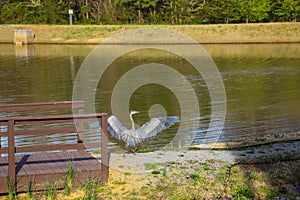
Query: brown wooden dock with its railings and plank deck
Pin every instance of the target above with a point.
(37, 165)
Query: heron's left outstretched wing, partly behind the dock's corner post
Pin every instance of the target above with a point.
(115, 127)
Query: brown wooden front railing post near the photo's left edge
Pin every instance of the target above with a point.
(11, 152)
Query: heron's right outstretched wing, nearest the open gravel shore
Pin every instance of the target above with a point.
(155, 126)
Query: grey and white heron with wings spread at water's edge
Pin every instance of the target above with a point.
(134, 136)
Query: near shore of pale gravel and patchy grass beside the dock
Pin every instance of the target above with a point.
(266, 172)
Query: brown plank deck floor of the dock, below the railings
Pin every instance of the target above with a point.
(38, 170)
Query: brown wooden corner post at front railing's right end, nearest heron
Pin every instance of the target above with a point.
(104, 150)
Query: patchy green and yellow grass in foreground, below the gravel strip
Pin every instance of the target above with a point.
(191, 180)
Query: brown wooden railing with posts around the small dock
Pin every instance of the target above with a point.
(35, 122)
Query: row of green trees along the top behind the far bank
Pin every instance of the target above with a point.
(148, 11)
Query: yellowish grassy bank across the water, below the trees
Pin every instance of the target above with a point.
(225, 33)
